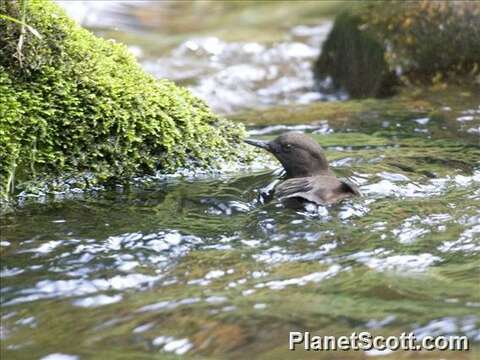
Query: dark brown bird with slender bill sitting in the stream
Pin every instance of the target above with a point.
(308, 176)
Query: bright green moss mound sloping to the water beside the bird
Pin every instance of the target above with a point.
(74, 104)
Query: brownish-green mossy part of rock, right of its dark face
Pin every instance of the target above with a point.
(416, 35)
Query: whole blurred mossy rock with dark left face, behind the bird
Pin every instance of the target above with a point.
(375, 47)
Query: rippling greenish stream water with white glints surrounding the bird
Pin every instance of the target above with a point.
(208, 266)
